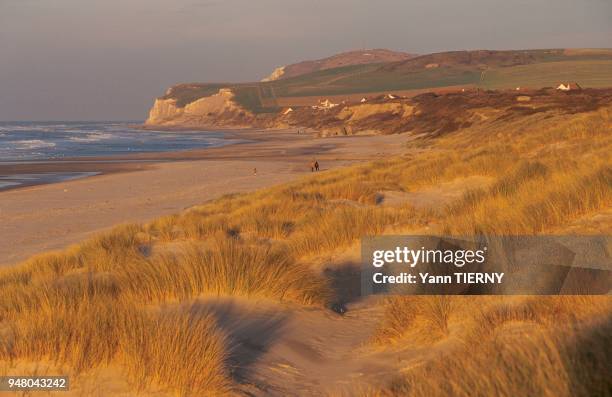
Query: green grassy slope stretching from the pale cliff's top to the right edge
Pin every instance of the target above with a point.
(505, 69)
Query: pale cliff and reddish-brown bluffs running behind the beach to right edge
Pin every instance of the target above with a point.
(429, 114)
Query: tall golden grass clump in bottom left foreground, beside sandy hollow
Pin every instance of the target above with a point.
(84, 322)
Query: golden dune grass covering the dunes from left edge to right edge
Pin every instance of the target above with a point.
(109, 299)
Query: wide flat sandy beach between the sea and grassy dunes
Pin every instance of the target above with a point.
(139, 188)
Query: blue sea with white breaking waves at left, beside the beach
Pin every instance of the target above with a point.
(26, 142)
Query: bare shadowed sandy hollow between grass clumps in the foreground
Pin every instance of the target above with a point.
(281, 350)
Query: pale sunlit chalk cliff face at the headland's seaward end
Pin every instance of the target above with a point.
(215, 110)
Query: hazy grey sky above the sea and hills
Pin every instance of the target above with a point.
(108, 59)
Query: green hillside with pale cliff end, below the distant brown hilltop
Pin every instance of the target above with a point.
(439, 72)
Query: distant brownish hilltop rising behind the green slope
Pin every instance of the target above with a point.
(359, 57)
